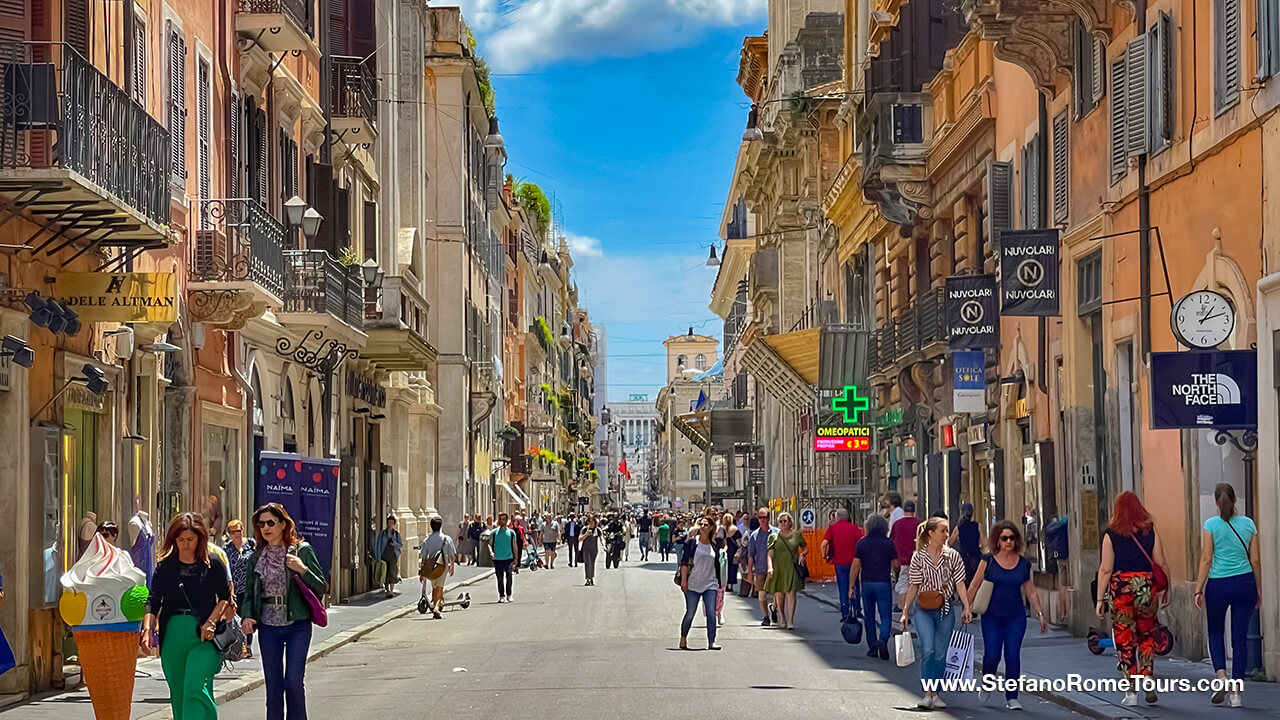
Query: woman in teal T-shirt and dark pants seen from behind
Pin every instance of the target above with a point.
(1228, 580)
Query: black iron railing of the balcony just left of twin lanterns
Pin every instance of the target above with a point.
(239, 240)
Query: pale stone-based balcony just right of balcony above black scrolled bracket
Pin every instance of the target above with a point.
(396, 325)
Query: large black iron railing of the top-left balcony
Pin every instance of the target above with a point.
(60, 112)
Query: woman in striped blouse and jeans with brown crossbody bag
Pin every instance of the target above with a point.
(936, 581)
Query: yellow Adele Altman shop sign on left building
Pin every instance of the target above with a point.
(120, 298)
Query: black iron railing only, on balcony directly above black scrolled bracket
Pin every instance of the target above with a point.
(318, 284)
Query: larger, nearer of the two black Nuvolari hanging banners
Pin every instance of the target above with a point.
(1030, 274)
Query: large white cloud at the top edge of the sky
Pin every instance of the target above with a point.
(524, 34)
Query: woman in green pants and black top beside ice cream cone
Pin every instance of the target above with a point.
(190, 596)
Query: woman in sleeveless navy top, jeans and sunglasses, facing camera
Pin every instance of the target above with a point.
(1004, 625)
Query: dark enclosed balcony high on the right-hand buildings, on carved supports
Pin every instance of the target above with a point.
(897, 135)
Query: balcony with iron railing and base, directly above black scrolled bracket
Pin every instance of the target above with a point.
(322, 294)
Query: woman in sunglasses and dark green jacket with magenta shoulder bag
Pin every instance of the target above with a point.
(276, 607)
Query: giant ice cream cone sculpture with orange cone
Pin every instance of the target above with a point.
(103, 601)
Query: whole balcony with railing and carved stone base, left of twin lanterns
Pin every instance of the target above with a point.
(237, 262)
